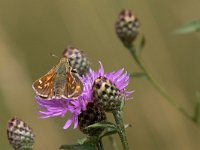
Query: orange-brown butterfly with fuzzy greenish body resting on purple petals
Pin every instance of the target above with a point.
(60, 82)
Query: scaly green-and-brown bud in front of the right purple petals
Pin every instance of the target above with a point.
(106, 95)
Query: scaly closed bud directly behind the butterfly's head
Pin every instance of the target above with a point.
(77, 59)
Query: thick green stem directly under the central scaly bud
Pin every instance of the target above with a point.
(121, 130)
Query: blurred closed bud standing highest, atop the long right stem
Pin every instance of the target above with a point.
(127, 27)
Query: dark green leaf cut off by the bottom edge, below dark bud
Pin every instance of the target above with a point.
(79, 147)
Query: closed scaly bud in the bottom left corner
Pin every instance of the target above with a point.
(20, 135)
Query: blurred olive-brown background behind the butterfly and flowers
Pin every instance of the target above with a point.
(31, 30)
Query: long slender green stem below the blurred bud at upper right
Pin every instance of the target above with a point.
(156, 85)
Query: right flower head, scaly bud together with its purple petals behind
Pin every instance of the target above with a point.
(107, 90)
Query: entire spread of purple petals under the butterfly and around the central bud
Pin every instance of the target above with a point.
(59, 107)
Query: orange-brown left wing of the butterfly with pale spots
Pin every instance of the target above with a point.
(44, 86)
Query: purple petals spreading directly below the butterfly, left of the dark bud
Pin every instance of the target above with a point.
(59, 107)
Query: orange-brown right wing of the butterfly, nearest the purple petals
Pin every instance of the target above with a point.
(74, 86)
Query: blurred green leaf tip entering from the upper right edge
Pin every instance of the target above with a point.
(192, 26)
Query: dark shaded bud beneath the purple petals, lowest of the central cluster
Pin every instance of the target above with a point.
(91, 116)
